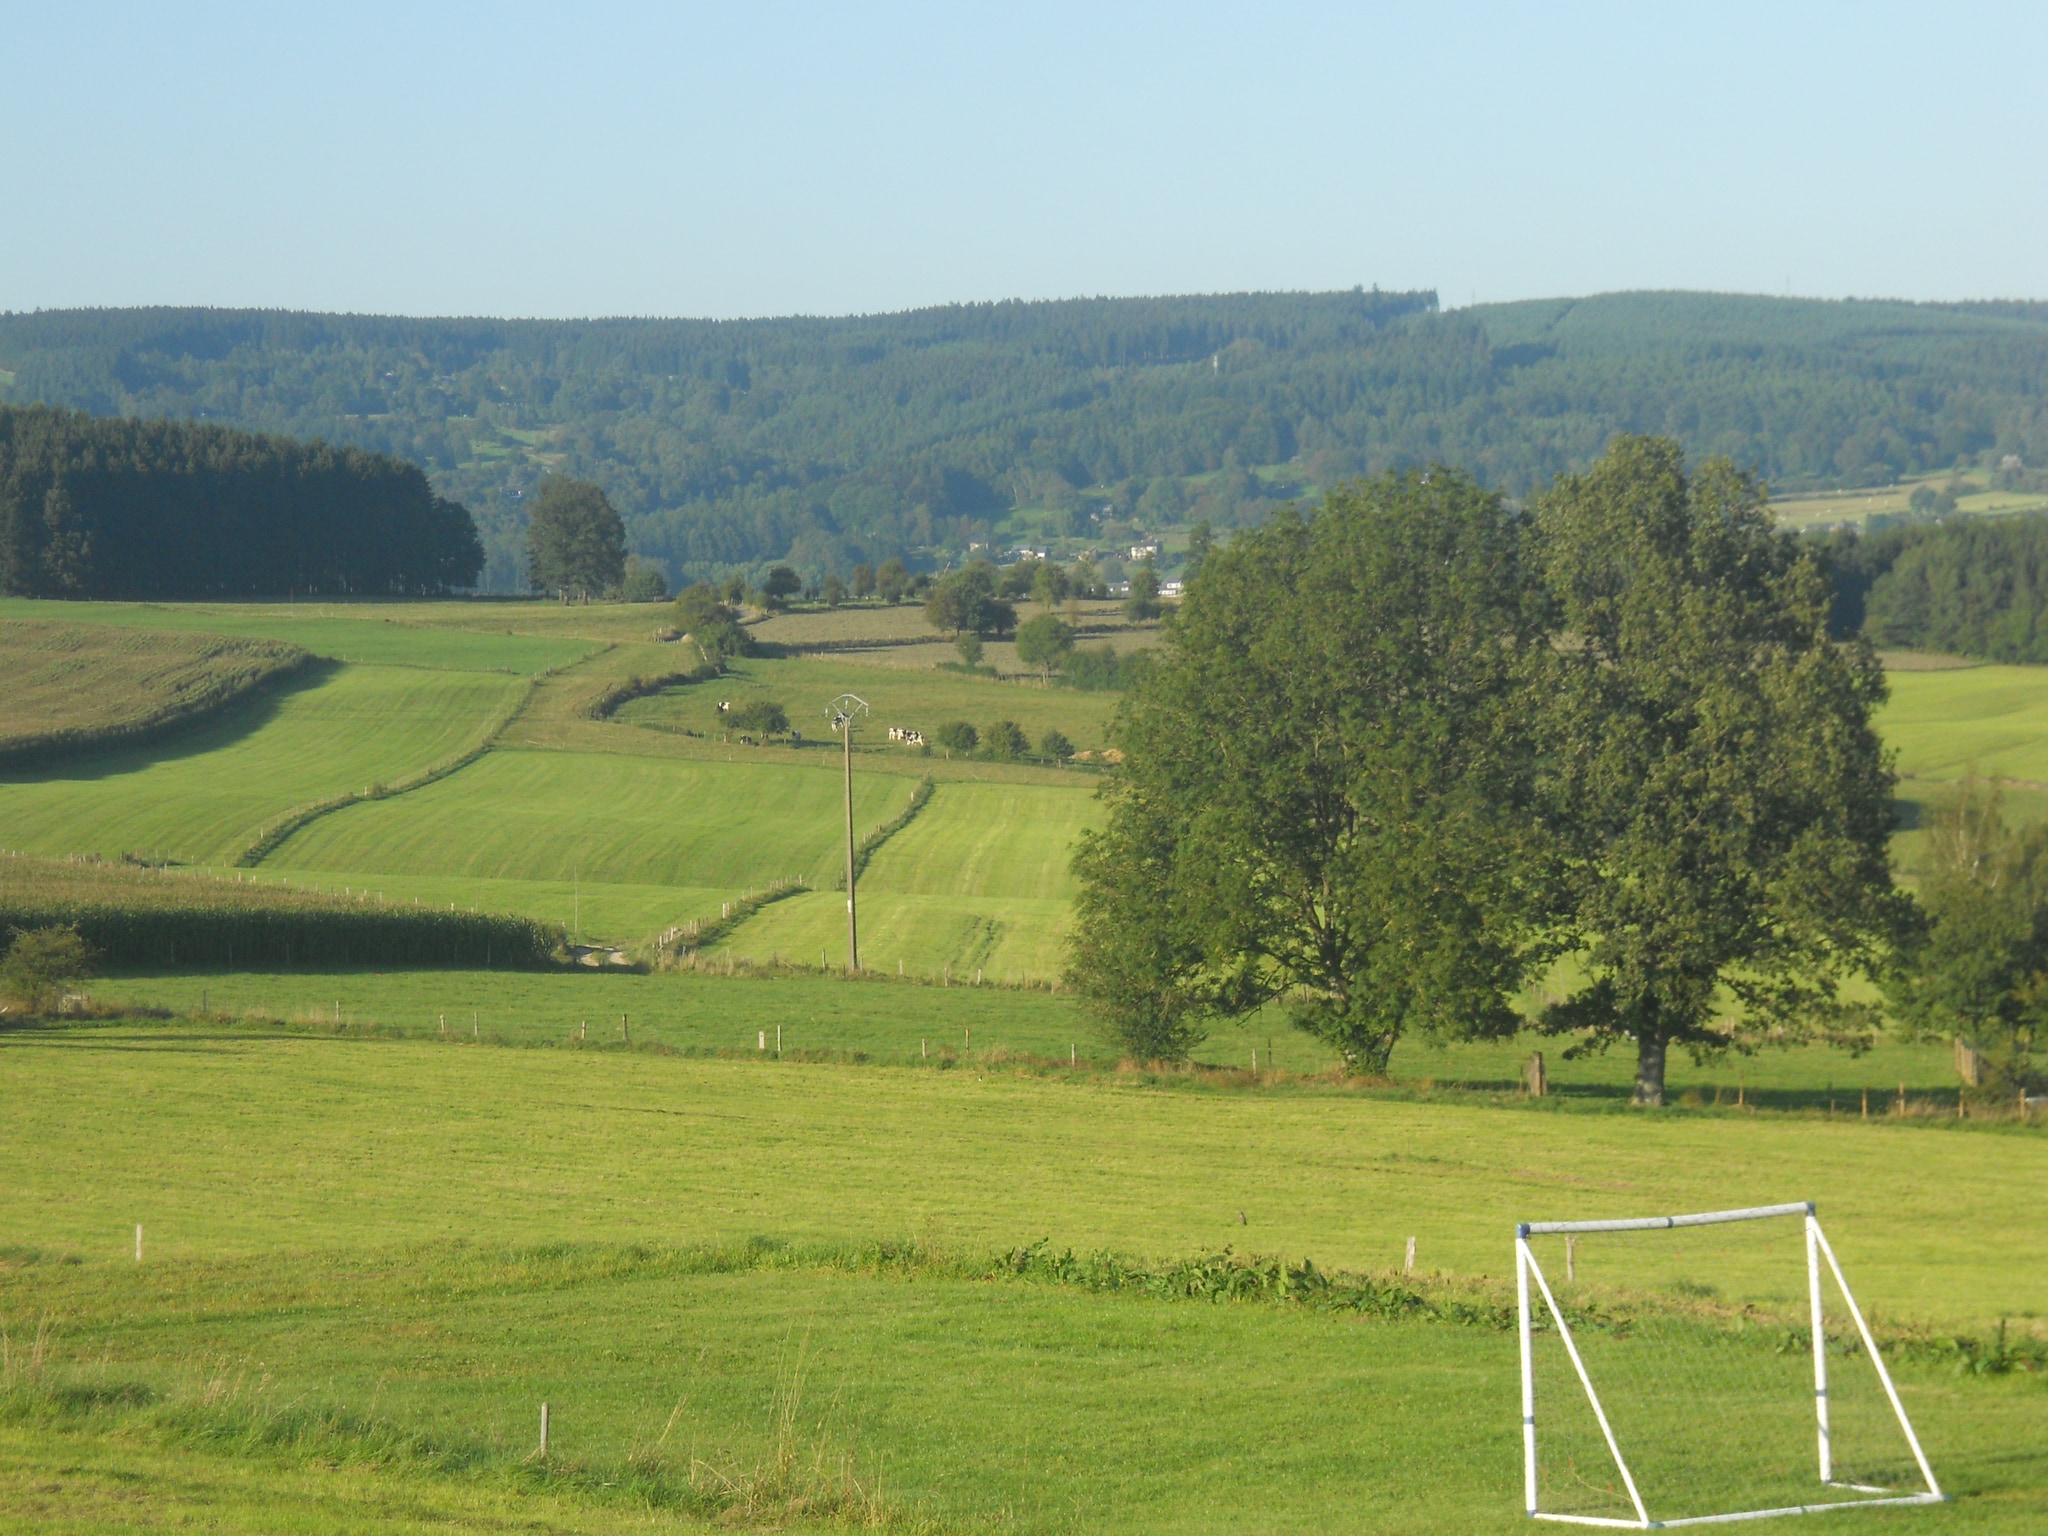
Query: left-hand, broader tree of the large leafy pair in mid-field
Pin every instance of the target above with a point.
(1328, 787)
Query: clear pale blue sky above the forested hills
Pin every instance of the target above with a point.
(783, 159)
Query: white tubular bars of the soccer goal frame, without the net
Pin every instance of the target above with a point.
(1818, 1250)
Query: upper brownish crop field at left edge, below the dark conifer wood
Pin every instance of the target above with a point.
(73, 687)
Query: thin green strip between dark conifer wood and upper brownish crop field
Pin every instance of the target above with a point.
(364, 634)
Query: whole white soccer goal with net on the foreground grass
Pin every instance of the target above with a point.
(1666, 1379)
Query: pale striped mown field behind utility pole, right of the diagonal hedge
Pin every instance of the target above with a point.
(978, 884)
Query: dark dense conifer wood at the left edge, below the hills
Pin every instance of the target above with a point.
(163, 509)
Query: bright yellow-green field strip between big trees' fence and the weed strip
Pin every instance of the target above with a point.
(237, 1144)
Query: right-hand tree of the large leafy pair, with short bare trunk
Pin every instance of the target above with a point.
(1723, 796)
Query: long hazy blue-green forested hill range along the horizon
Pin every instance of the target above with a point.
(730, 443)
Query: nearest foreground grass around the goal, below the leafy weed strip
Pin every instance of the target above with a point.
(972, 1406)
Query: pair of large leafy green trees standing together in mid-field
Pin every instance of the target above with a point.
(1400, 757)
